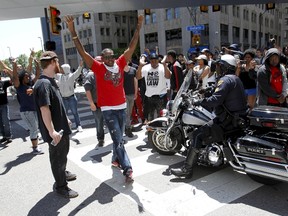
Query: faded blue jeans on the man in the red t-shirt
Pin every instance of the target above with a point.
(115, 121)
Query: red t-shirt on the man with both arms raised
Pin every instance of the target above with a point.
(110, 89)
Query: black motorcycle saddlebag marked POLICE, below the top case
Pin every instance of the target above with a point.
(260, 148)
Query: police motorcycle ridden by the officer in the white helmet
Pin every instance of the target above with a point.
(259, 148)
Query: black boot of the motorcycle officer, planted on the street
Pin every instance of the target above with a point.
(187, 170)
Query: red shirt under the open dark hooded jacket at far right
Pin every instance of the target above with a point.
(275, 83)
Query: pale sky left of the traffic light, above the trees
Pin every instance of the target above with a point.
(19, 36)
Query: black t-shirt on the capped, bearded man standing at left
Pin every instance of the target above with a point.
(46, 92)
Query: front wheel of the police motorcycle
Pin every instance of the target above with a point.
(157, 138)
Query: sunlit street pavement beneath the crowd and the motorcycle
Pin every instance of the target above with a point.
(26, 180)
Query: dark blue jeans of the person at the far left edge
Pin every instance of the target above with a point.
(5, 127)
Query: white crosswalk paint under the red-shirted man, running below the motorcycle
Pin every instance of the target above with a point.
(200, 196)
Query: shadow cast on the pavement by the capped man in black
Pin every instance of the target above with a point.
(48, 205)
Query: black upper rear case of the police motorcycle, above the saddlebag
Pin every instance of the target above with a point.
(270, 117)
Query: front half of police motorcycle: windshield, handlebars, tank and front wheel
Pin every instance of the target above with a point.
(169, 134)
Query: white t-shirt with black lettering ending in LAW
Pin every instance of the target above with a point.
(154, 79)
